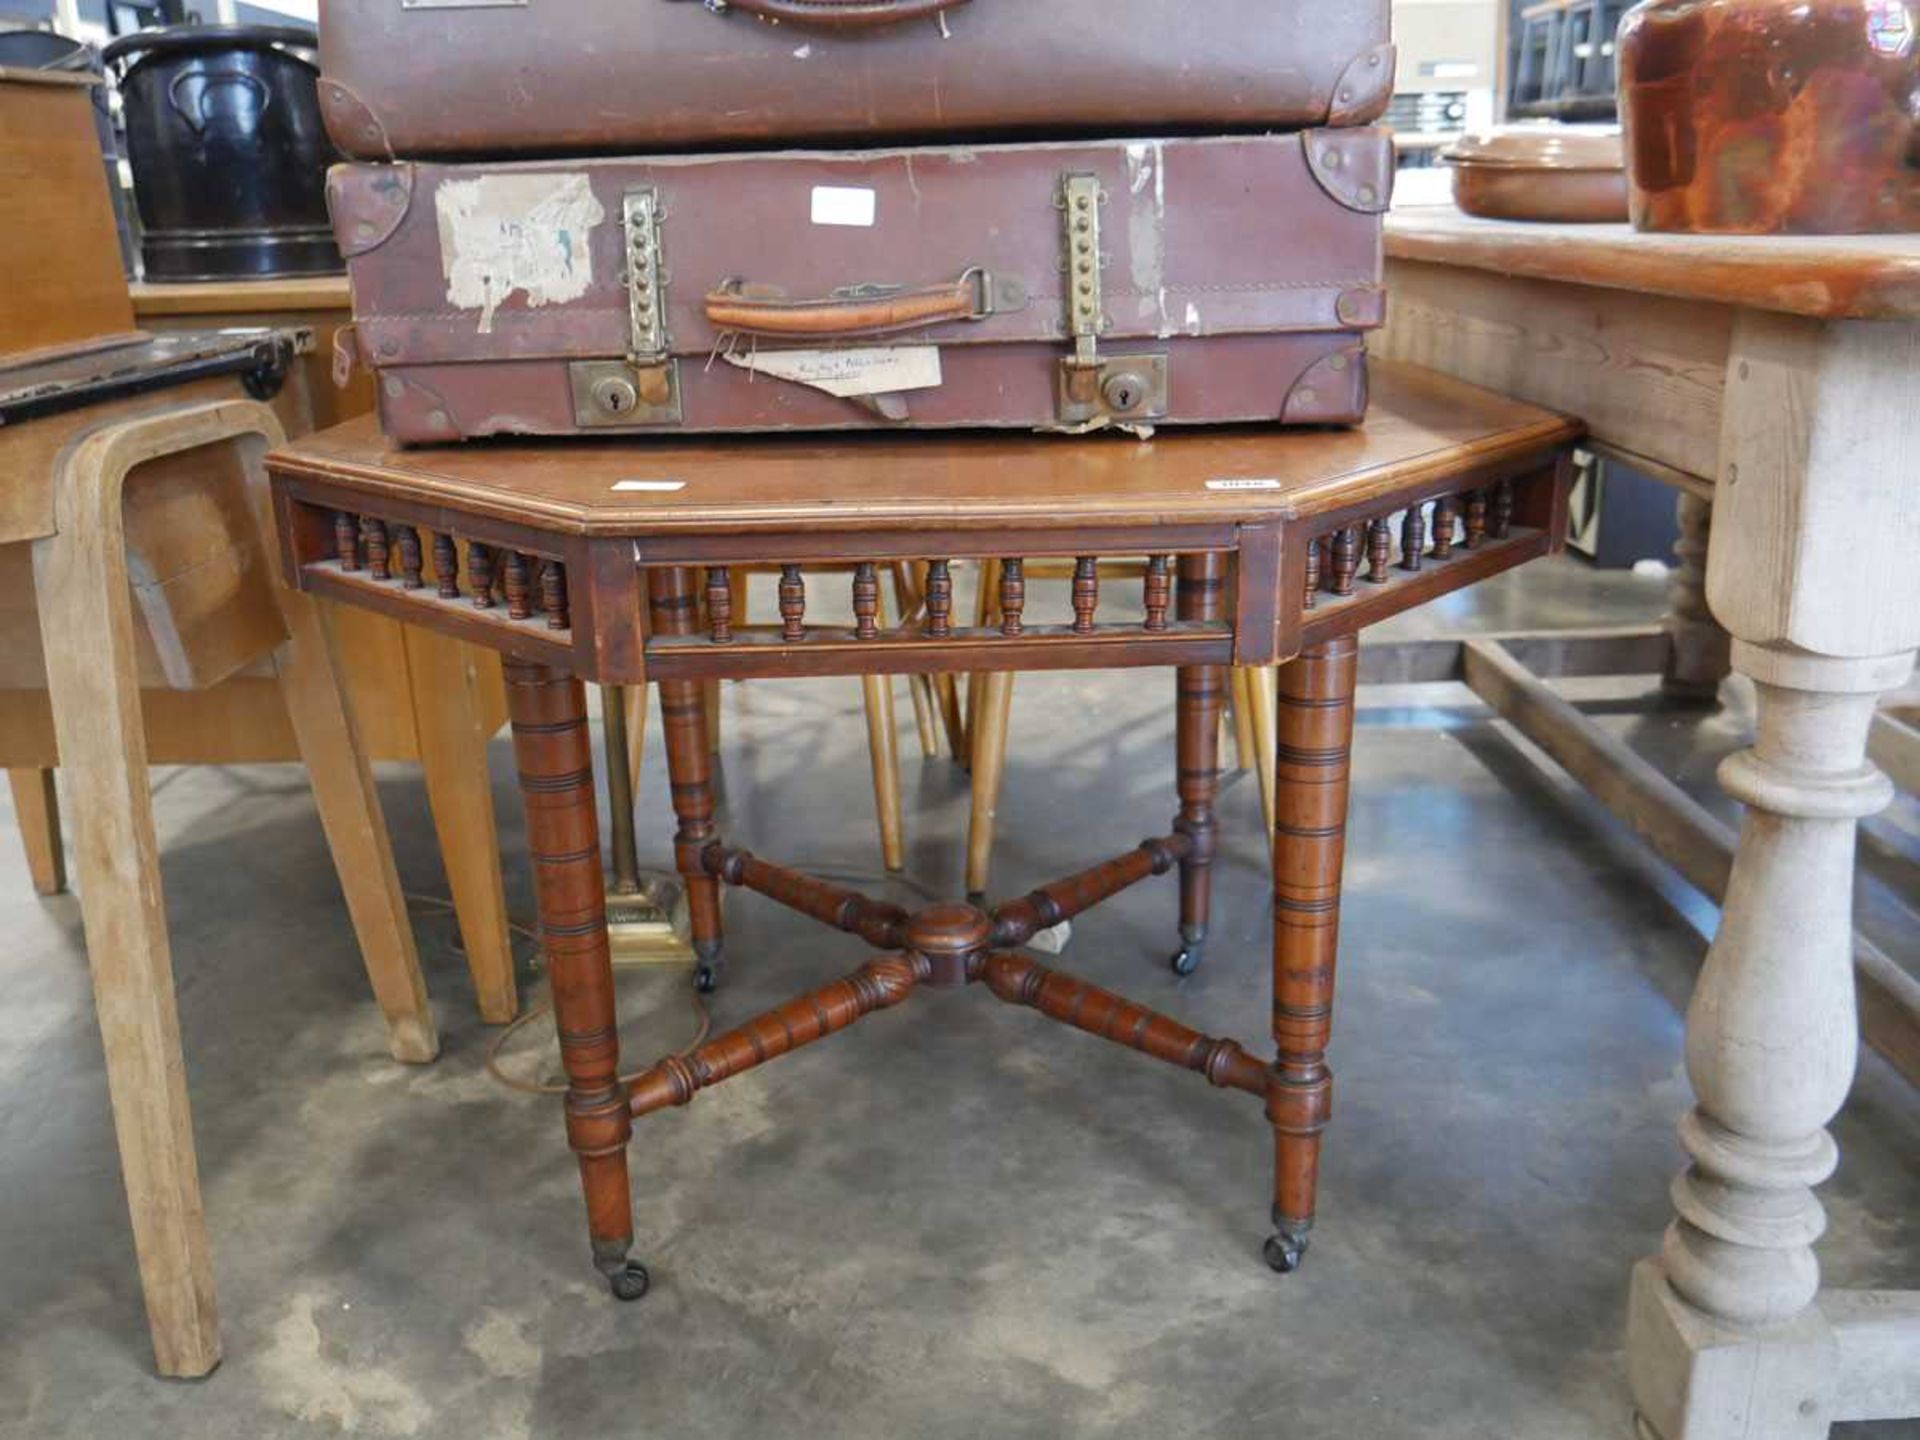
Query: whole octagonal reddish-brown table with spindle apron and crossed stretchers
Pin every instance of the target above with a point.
(571, 594)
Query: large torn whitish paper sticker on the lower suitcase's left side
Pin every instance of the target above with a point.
(529, 233)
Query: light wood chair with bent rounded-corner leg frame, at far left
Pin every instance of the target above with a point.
(151, 575)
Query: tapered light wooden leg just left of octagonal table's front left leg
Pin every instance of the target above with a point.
(448, 706)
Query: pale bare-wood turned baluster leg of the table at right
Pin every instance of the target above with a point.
(1731, 1335)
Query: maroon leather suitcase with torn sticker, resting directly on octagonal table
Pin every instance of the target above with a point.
(1055, 287)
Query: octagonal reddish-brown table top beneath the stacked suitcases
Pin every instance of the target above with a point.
(731, 485)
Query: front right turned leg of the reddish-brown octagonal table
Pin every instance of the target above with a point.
(1316, 736)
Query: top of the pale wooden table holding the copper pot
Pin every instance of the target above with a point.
(1871, 277)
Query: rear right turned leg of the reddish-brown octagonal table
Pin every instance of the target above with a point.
(1203, 692)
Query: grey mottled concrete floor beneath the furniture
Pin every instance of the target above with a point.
(957, 1220)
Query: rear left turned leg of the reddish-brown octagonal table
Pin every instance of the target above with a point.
(690, 773)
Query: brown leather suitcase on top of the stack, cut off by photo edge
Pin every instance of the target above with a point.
(546, 78)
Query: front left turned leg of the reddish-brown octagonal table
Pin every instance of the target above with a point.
(556, 757)
